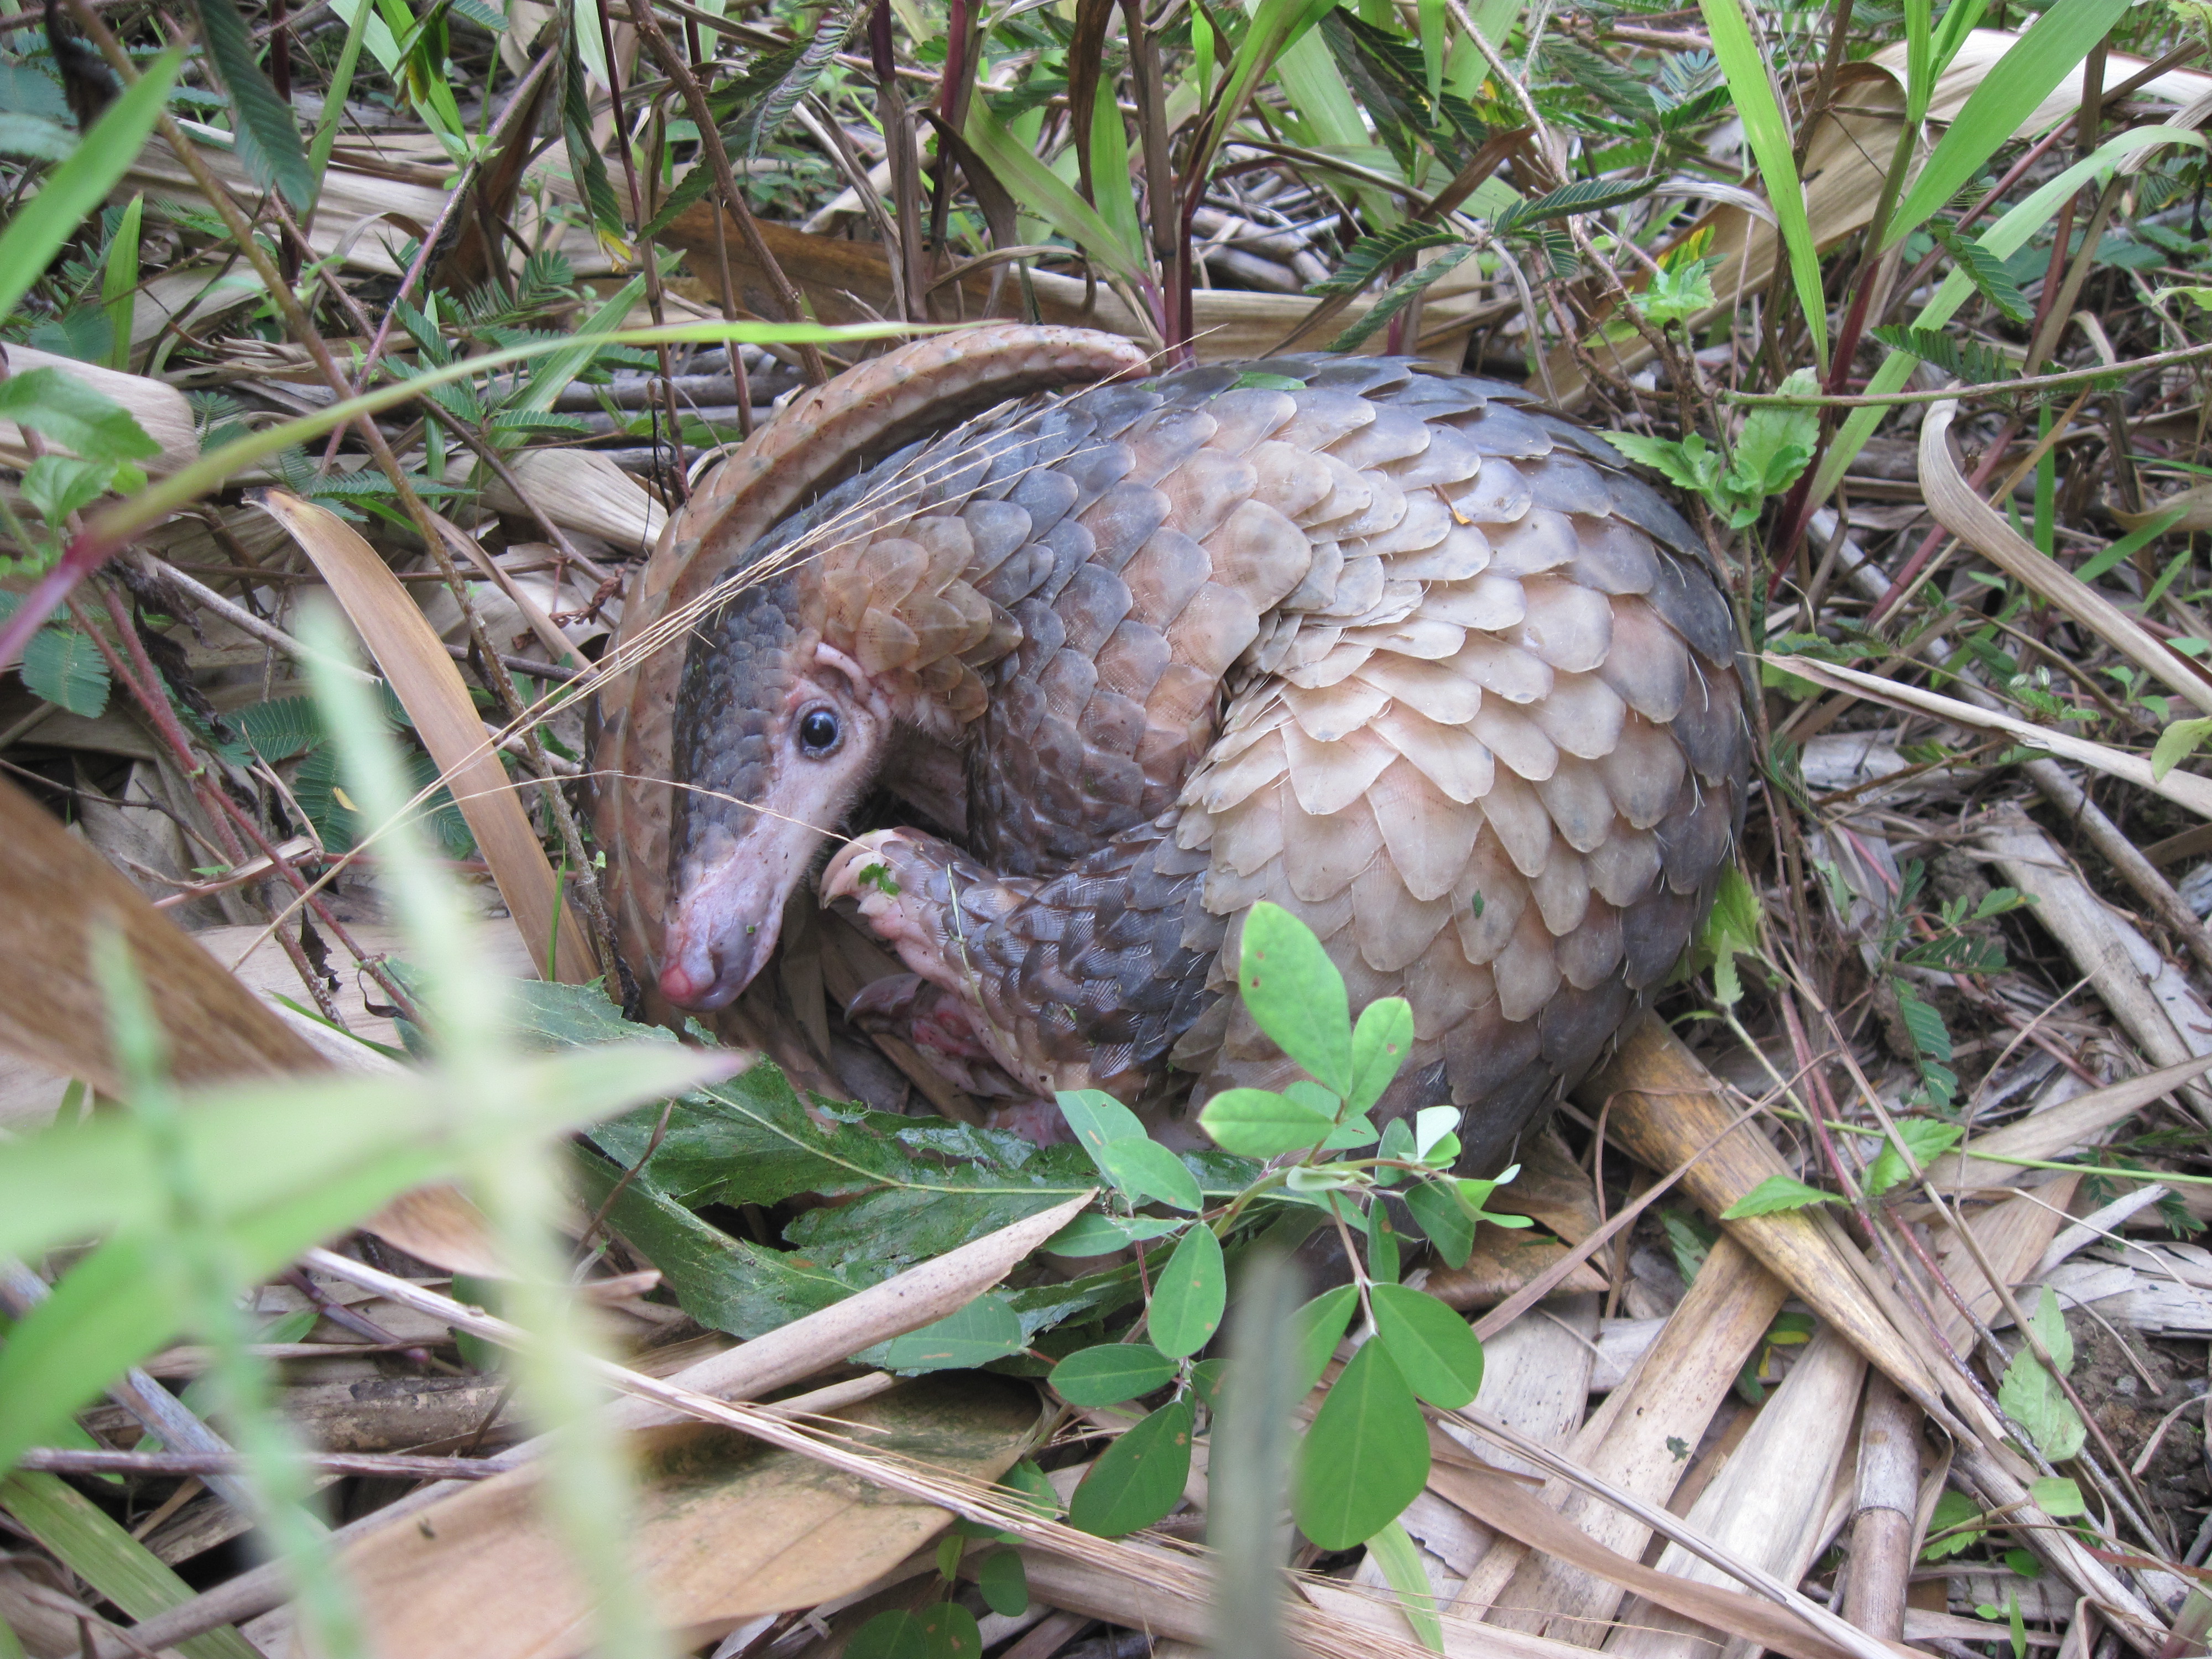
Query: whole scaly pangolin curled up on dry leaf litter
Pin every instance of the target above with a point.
(1386, 645)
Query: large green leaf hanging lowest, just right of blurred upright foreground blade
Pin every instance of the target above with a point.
(1366, 1459)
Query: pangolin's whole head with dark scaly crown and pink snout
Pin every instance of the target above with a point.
(778, 735)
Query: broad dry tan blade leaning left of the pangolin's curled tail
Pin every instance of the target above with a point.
(437, 700)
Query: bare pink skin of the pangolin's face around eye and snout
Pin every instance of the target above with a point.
(722, 921)
